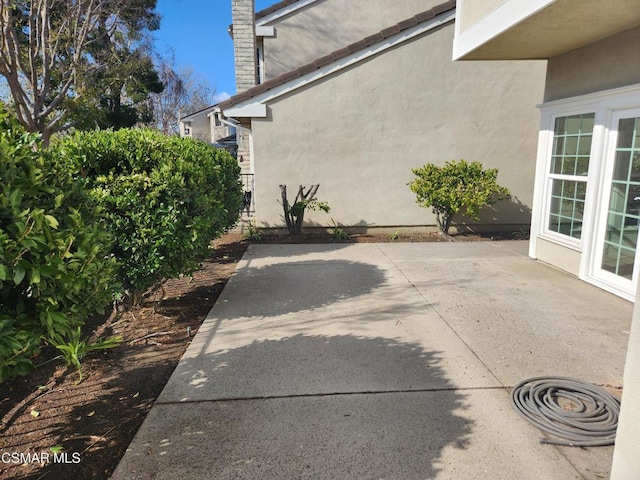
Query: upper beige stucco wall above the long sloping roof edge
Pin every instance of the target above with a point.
(328, 25)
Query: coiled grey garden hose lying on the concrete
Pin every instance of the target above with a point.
(578, 413)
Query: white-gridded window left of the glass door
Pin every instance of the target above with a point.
(568, 173)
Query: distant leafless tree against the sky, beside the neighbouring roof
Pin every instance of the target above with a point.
(183, 93)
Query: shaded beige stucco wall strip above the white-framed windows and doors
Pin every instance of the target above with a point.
(610, 63)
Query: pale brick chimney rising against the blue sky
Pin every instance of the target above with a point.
(244, 43)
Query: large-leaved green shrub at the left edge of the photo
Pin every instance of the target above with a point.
(55, 268)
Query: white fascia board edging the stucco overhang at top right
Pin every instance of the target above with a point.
(498, 21)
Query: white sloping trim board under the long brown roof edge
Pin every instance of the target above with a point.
(240, 109)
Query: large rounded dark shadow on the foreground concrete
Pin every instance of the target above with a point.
(307, 407)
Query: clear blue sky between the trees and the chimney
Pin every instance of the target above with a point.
(196, 31)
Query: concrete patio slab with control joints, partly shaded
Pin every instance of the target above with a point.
(381, 361)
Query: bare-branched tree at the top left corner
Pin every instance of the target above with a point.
(45, 47)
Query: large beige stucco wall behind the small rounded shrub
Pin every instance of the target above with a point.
(359, 132)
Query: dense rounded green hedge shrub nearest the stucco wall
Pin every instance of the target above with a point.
(163, 198)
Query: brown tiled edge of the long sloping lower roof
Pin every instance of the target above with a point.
(338, 54)
